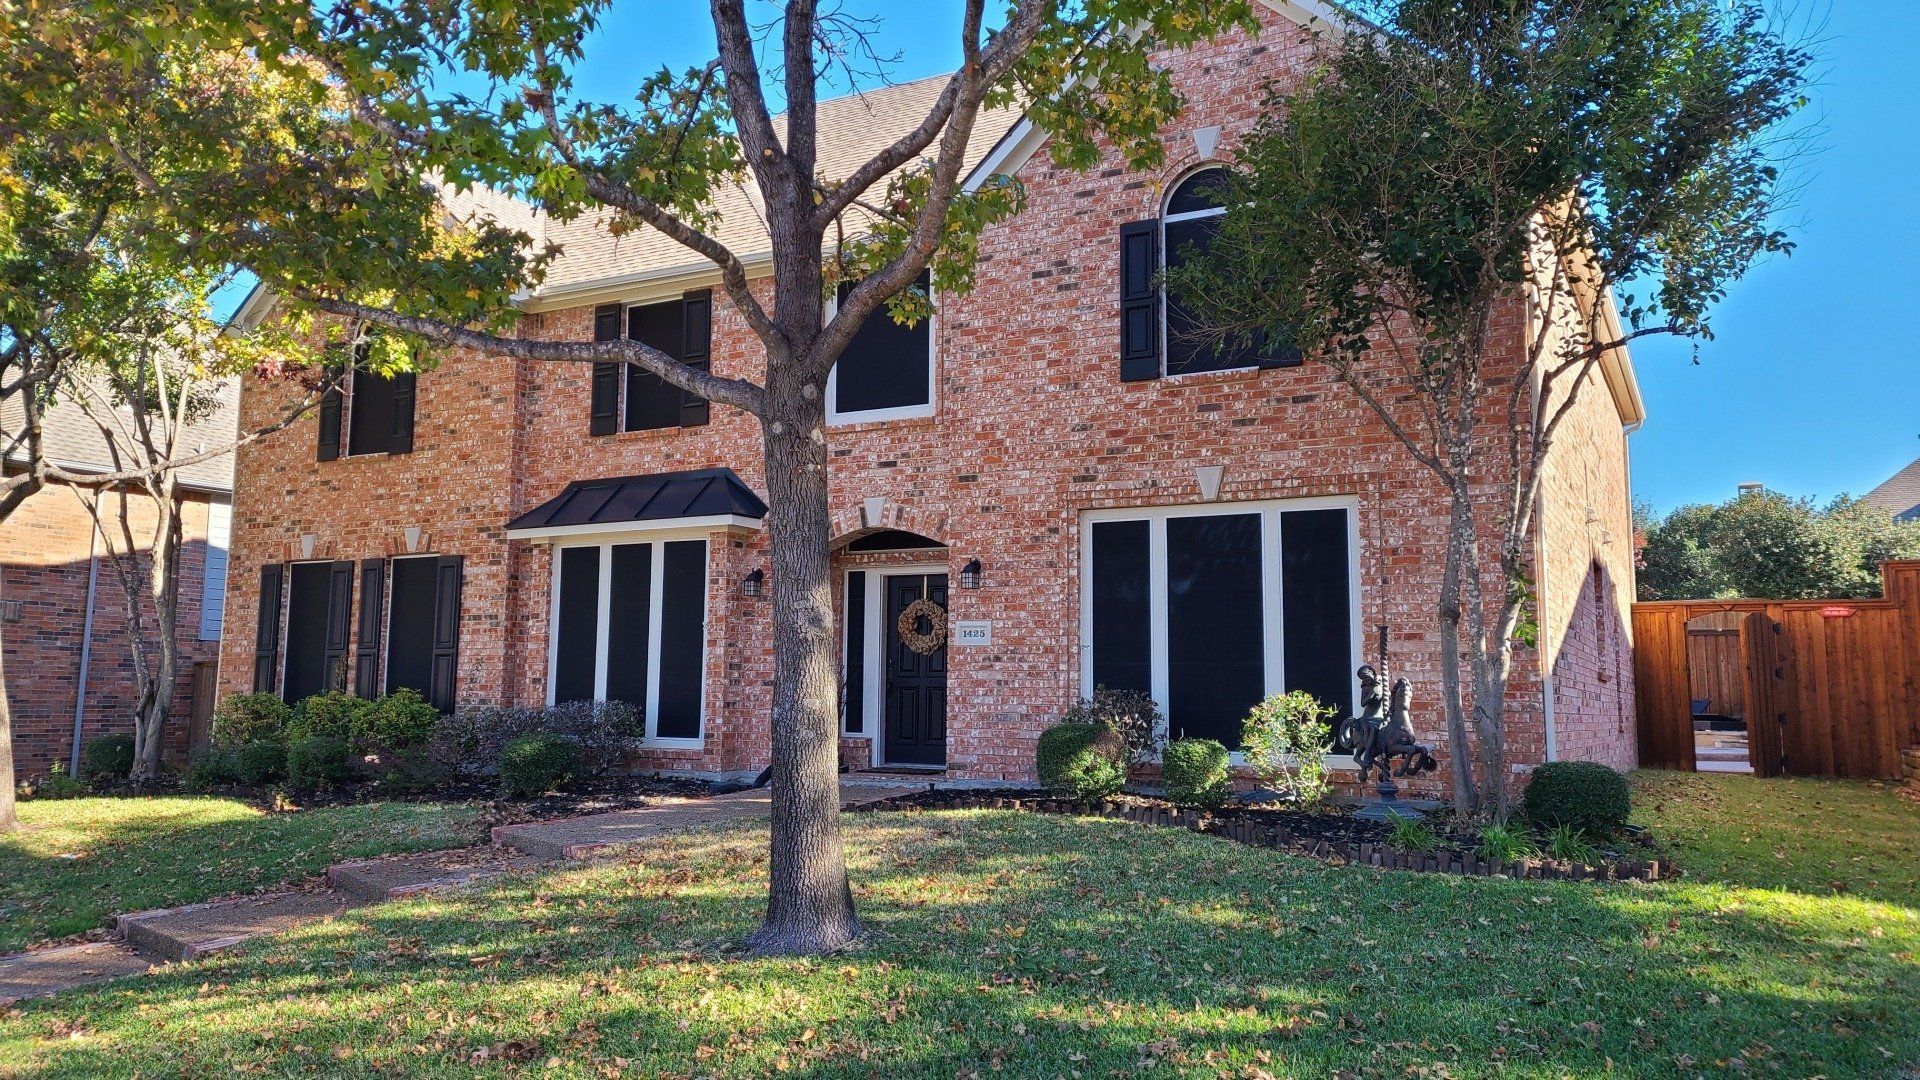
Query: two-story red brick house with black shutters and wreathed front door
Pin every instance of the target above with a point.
(1090, 499)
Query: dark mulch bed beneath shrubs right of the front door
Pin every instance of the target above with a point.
(1330, 835)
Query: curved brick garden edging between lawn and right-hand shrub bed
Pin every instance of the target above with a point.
(1466, 864)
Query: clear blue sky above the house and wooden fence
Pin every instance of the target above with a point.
(1812, 385)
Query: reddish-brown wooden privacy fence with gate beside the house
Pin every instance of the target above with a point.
(1829, 687)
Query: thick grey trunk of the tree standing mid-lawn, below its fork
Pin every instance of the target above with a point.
(809, 906)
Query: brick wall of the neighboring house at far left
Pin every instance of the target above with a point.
(43, 564)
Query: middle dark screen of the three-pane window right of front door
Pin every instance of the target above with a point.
(1216, 670)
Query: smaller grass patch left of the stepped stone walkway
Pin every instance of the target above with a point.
(74, 864)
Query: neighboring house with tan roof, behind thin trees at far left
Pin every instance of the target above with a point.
(68, 656)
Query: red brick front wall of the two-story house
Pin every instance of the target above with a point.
(1032, 430)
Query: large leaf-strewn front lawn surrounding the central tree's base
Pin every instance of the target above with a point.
(1009, 945)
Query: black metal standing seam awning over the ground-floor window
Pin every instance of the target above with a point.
(700, 499)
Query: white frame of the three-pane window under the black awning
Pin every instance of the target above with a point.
(602, 624)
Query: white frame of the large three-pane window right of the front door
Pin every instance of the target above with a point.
(1274, 631)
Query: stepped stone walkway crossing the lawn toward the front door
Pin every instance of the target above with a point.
(199, 929)
